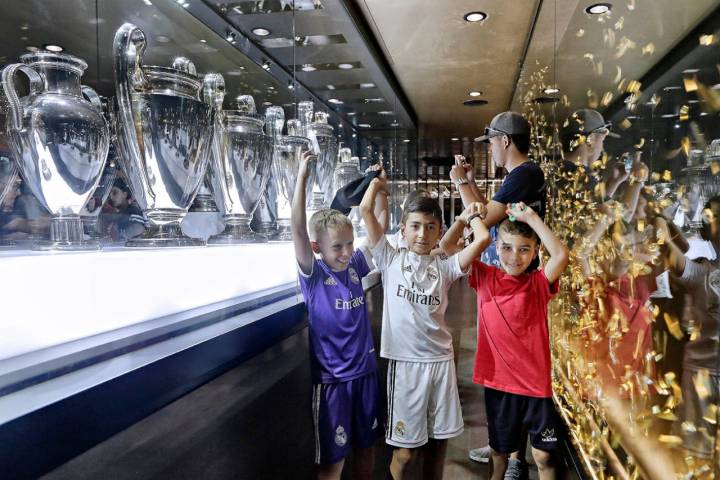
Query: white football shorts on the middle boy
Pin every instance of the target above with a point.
(423, 402)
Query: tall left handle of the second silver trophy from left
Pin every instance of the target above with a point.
(128, 48)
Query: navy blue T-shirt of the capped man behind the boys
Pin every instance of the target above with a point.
(526, 183)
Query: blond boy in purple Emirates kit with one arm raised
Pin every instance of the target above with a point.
(346, 411)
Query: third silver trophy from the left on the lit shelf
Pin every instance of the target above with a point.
(240, 169)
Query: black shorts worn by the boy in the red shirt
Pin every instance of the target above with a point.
(508, 413)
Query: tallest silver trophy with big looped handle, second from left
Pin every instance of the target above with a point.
(164, 134)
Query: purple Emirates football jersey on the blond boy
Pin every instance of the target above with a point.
(340, 339)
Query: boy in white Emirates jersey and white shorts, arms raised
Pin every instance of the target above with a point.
(423, 400)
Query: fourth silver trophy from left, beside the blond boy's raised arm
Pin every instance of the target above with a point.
(287, 154)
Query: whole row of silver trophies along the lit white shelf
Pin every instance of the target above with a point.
(172, 138)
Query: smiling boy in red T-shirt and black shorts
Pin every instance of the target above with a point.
(513, 352)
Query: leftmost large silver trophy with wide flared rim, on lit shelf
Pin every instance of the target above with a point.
(59, 139)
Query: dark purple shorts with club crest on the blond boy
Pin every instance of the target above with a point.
(346, 415)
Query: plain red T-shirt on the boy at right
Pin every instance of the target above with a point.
(513, 352)
